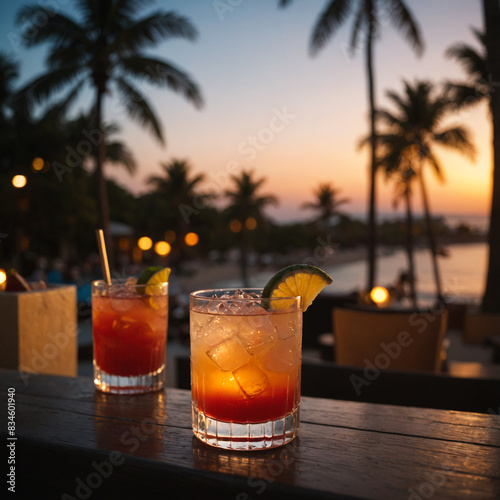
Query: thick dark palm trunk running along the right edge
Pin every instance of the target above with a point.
(491, 297)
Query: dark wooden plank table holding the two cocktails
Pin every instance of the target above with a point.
(74, 442)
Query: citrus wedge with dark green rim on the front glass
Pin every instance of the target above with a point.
(298, 279)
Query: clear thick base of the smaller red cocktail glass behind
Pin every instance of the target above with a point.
(140, 384)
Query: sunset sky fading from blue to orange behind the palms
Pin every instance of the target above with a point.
(295, 119)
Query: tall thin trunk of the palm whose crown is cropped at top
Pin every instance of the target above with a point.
(372, 228)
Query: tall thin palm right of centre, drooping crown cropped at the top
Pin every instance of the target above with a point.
(367, 15)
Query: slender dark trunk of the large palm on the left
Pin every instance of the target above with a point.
(104, 219)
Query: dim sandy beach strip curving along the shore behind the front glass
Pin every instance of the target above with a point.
(208, 274)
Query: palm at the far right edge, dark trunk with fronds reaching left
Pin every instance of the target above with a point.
(483, 69)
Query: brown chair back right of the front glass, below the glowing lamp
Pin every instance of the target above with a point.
(396, 340)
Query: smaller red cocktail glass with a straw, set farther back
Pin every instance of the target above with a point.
(130, 336)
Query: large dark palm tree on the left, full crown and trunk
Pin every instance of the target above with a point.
(104, 48)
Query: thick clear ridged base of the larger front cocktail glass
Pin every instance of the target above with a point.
(249, 436)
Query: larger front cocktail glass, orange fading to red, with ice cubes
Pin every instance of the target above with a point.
(246, 357)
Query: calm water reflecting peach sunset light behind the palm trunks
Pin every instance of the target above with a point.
(462, 271)
